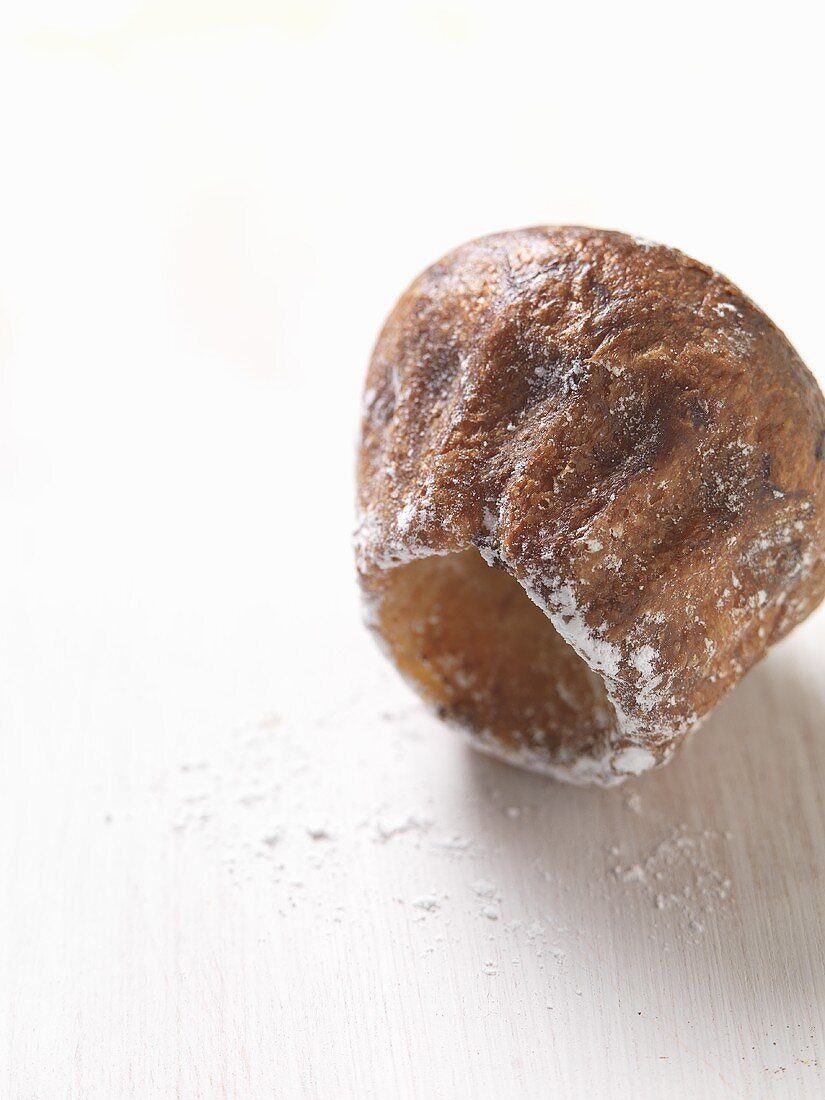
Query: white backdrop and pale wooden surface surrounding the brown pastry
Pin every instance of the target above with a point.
(237, 860)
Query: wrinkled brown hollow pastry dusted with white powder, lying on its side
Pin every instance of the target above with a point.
(591, 493)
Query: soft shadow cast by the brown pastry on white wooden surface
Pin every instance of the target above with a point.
(714, 861)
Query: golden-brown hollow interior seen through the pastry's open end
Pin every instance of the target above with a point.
(479, 650)
